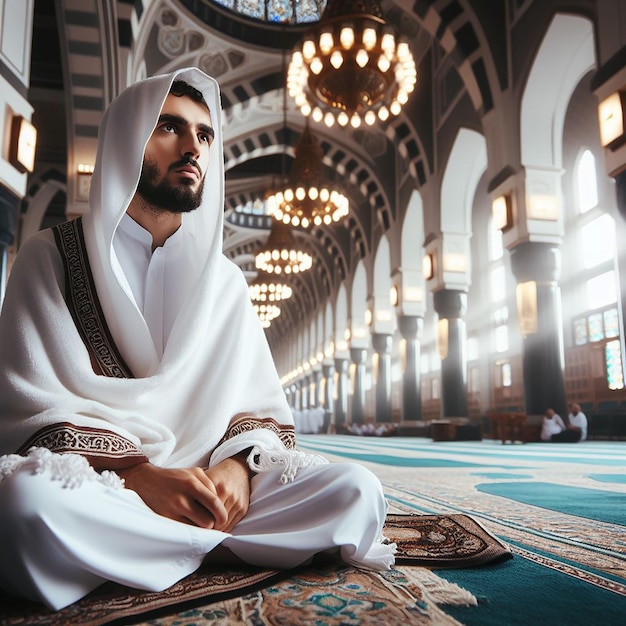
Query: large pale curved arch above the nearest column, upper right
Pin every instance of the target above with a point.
(564, 57)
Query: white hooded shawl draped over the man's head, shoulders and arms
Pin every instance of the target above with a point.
(214, 392)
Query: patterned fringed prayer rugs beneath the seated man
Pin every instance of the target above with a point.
(326, 592)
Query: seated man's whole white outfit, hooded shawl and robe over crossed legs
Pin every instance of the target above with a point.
(209, 392)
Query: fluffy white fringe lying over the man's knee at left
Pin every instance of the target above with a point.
(70, 469)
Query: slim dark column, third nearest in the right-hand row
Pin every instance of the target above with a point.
(410, 327)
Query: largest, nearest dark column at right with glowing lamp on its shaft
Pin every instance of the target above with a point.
(543, 360)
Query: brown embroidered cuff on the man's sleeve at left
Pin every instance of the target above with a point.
(90, 442)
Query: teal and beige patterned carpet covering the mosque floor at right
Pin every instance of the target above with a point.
(561, 509)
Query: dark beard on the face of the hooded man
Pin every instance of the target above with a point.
(162, 195)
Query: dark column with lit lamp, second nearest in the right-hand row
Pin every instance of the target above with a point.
(451, 304)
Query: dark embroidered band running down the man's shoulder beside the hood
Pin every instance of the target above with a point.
(82, 301)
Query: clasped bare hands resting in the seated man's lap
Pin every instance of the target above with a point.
(215, 498)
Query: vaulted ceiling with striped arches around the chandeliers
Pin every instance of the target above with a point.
(373, 166)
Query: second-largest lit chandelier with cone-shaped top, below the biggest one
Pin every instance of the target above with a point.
(307, 200)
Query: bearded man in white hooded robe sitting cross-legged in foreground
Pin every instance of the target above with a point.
(142, 422)
